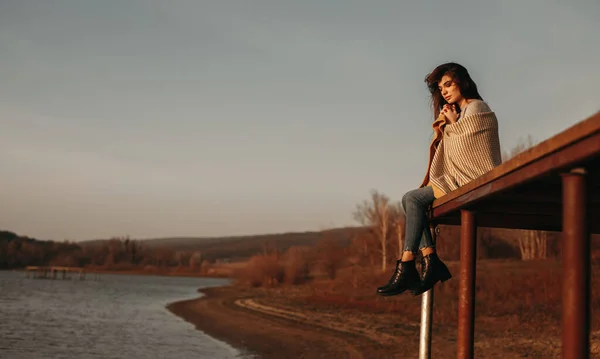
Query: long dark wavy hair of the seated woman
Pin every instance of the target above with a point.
(460, 76)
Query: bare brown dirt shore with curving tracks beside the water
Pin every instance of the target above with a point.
(230, 314)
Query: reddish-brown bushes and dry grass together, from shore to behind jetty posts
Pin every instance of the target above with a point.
(518, 303)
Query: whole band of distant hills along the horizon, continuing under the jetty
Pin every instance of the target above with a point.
(17, 251)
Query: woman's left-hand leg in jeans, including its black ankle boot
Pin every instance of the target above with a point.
(406, 276)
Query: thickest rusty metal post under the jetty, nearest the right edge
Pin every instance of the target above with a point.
(576, 268)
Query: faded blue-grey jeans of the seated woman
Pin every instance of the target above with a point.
(415, 204)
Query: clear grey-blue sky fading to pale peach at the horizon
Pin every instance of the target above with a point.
(205, 118)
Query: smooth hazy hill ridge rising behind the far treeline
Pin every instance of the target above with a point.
(243, 247)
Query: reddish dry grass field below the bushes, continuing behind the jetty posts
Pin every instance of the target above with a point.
(518, 307)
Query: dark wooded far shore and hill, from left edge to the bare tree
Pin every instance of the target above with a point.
(124, 253)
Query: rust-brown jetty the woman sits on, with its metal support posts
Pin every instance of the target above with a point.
(554, 186)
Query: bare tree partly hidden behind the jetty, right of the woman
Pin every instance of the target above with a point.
(532, 243)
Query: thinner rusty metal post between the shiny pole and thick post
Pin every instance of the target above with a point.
(466, 286)
